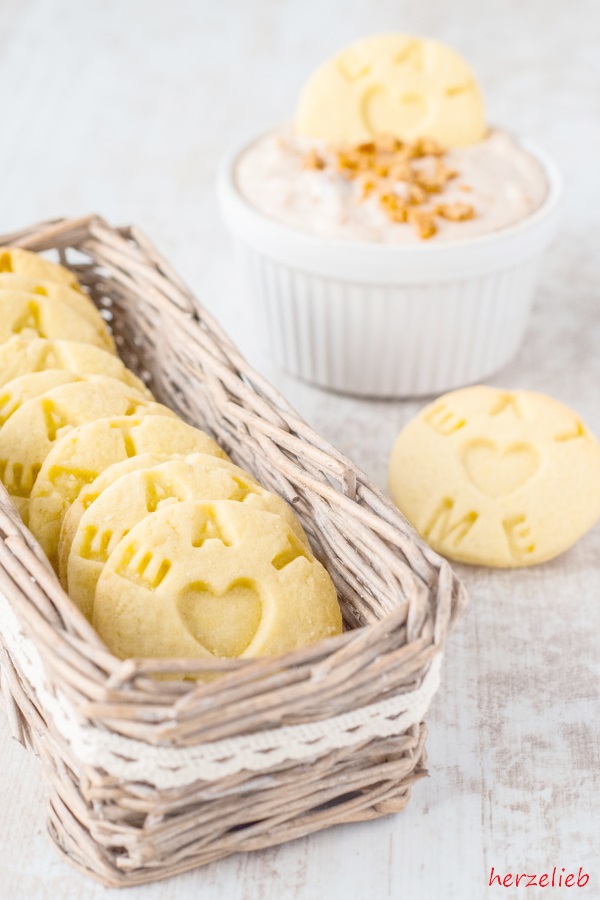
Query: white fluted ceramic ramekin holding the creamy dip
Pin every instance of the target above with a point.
(390, 321)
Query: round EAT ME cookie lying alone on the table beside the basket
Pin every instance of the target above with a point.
(497, 478)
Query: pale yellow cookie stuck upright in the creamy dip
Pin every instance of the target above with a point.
(395, 84)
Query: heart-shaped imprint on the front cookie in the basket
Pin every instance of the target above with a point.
(224, 623)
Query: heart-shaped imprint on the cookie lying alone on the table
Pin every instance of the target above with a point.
(499, 471)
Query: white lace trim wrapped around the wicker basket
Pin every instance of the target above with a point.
(170, 767)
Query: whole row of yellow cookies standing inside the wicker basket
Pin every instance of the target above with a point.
(168, 548)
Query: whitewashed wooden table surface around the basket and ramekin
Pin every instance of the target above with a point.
(124, 108)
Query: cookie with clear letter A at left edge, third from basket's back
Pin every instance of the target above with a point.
(33, 316)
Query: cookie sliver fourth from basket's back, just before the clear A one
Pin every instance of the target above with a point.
(19, 356)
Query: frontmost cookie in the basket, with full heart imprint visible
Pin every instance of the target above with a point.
(213, 580)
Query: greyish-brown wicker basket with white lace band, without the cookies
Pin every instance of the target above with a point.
(149, 777)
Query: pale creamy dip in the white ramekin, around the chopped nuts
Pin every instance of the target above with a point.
(501, 180)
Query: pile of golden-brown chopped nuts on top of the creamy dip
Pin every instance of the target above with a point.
(402, 175)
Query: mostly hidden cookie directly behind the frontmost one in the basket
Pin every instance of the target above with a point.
(132, 497)
